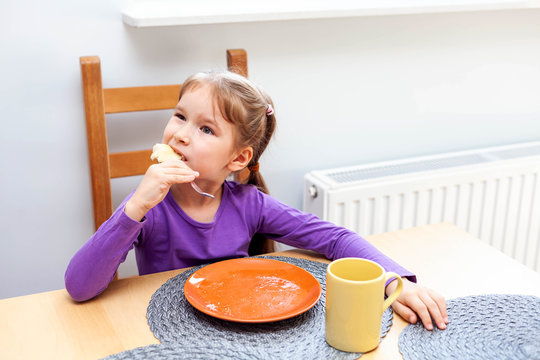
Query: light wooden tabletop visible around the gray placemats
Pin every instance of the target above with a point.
(50, 325)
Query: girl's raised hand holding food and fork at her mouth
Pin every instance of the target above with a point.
(155, 185)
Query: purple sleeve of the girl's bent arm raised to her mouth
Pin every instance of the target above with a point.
(94, 265)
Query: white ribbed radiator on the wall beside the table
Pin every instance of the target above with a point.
(493, 193)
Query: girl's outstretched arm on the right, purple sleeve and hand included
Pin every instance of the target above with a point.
(306, 231)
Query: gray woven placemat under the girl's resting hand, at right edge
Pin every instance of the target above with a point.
(481, 327)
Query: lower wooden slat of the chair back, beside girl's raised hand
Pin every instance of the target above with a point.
(129, 163)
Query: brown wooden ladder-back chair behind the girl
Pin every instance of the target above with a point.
(98, 102)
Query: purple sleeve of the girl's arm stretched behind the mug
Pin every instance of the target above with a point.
(302, 230)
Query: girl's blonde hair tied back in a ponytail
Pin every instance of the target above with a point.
(245, 105)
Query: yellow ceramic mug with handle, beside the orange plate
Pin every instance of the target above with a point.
(355, 303)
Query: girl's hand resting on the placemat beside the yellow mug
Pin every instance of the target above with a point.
(417, 301)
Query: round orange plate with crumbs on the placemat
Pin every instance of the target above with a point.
(252, 290)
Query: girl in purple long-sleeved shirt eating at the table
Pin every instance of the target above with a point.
(221, 125)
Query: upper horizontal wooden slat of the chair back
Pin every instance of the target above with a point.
(142, 98)
